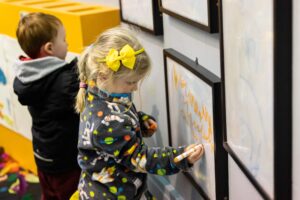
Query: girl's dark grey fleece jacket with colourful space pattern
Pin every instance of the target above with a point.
(113, 157)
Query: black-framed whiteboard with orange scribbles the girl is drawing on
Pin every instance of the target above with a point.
(194, 117)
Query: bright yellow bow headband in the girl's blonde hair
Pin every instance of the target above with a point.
(127, 57)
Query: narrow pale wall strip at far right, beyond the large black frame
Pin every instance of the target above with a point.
(296, 99)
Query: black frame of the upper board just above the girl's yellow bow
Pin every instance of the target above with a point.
(156, 16)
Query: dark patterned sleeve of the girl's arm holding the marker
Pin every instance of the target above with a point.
(119, 136)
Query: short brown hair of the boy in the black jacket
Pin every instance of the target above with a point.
(36, 29)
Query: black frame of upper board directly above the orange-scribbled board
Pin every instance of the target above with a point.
(212, 14)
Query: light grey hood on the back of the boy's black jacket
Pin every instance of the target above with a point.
(28, 71)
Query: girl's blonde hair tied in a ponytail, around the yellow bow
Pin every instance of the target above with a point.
(90, 67)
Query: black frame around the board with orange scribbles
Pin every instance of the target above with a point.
(219, 154)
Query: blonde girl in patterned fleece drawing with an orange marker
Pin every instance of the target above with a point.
(112, 155)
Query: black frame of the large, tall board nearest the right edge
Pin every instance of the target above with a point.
(282, 109)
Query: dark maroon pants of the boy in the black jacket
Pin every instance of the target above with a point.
(59, 186)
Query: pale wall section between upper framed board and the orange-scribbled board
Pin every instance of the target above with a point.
(193, 43)
